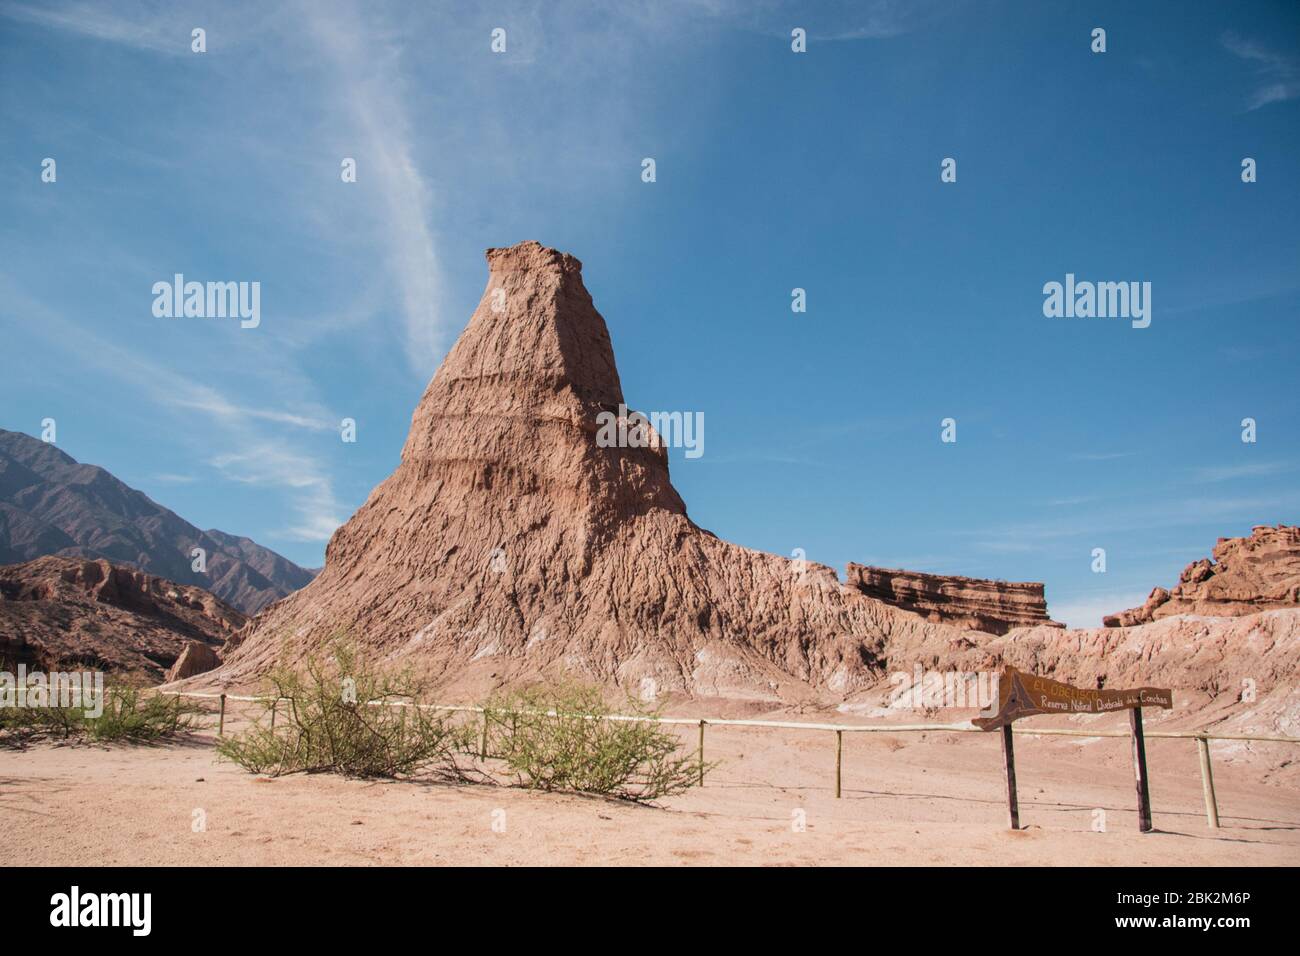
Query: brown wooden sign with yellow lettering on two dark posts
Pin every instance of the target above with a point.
(1025, 695)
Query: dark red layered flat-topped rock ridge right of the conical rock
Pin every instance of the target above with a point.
(973, 603)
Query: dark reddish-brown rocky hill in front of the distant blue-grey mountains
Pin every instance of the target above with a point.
(58, 613)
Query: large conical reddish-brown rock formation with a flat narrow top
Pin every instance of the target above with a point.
(509, 543)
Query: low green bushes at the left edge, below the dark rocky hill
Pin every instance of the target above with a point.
(129, 716)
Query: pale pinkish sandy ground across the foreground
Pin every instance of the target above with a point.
(908, 799)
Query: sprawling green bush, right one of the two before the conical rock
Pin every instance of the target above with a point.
(556, 738)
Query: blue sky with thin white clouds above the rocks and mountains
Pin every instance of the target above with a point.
(775, 171)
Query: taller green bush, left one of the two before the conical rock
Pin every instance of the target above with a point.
(333, 716)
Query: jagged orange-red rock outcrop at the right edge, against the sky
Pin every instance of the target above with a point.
(1246, 576)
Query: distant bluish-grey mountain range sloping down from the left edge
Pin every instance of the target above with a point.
(50, 504)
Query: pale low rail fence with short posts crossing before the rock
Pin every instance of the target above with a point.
(1201, 737)
